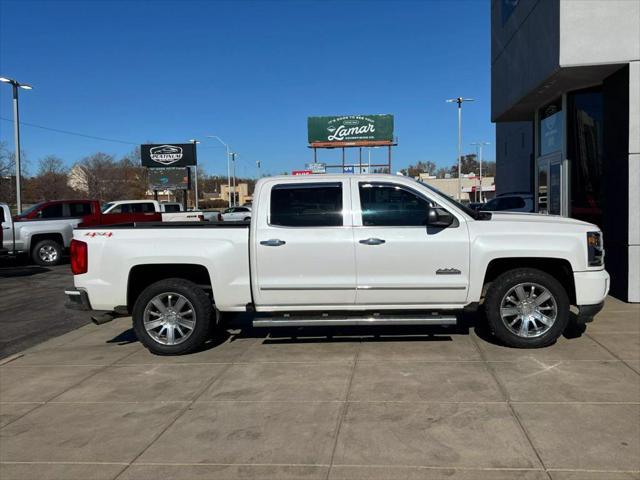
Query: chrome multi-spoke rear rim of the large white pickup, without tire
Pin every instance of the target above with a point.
(169, 318)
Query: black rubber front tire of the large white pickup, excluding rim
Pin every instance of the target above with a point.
(501, 286)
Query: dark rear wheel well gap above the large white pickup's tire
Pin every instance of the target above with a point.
(141, 276)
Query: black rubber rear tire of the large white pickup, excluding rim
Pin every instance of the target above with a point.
(202, 315)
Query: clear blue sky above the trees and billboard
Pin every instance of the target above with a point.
(250, 72)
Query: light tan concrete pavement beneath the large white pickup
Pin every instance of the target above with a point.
(360, 403)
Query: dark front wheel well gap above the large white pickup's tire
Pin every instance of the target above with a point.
(558, 268)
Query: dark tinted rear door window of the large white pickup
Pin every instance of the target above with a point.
(306, 205)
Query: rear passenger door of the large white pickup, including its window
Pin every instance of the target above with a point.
(303, 245)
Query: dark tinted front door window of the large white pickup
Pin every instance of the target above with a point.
(391, 206)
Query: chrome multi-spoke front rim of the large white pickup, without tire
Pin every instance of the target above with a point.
(528, 310)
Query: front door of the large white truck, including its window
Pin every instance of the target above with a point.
(400, 261)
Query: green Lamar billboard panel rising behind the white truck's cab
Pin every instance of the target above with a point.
(350, 130)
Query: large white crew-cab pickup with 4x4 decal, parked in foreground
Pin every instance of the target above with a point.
(344, 250)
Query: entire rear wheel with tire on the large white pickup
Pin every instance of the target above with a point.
(172, 317)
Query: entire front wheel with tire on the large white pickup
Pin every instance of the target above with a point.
(527, 308)
